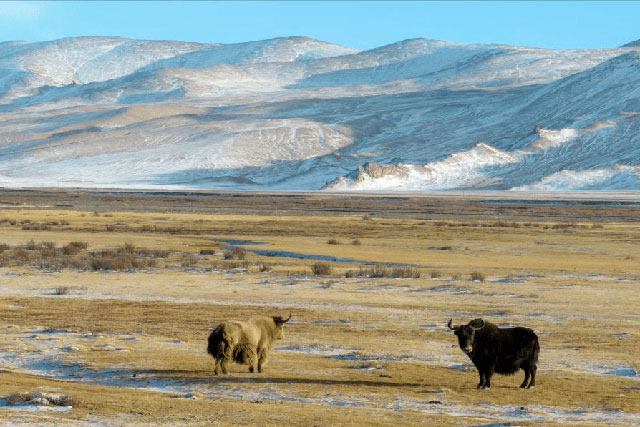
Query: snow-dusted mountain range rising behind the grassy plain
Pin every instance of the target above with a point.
(303, 114)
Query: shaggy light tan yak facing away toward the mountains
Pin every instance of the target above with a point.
(246, 343)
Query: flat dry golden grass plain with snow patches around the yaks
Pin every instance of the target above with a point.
(107, 299)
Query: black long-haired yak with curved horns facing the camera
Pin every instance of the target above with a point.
(500, 350)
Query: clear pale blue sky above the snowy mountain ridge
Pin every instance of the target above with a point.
(359, 24)
